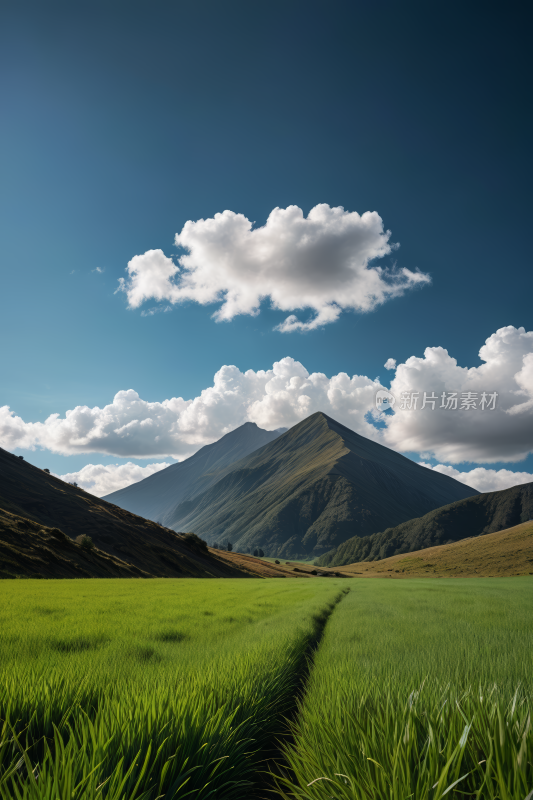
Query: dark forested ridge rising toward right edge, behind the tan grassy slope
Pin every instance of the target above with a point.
(475, 516)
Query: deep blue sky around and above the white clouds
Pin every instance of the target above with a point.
(122, 121)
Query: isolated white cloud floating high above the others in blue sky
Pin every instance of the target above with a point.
(320, 262)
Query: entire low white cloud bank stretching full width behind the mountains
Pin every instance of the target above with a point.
(131, 427)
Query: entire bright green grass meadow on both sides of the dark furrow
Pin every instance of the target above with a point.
(138, 690)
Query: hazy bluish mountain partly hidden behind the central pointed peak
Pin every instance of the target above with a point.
(156, 496)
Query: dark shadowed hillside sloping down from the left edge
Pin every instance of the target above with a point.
(36, 496)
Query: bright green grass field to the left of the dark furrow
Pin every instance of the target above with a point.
(144, 689)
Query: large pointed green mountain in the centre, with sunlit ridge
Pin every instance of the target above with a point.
(310, 489)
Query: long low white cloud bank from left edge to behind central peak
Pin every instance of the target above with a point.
(130, 427)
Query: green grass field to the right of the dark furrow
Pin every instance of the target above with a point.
(420, 689)
